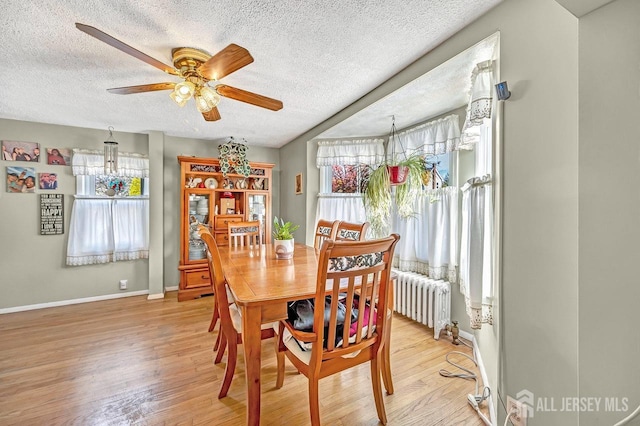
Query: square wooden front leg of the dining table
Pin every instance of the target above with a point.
(251, 342)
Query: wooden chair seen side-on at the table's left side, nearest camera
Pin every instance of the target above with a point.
(230, 318)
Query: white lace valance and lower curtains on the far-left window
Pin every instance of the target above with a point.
(103, 230)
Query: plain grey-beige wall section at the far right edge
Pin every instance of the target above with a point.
(609, 209)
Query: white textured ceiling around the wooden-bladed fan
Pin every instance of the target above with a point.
(317, 57)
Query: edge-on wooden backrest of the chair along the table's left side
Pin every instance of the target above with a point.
(216, 275)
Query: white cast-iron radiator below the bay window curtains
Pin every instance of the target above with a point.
(423, 299)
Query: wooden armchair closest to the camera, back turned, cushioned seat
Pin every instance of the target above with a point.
(350, 276)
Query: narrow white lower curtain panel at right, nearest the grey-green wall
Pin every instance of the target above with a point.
(476, 278)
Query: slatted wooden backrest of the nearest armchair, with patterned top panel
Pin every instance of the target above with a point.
(352, 276)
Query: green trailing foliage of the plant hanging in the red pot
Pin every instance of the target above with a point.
(379, 198)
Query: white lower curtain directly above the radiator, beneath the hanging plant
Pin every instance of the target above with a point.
(428, 243)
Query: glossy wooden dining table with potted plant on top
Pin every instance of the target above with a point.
(262, 286)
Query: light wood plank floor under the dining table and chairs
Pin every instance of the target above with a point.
(133, 361)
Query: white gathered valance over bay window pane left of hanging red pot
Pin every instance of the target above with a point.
(345, 152)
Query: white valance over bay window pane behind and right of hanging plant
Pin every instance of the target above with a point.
(432, 138)
